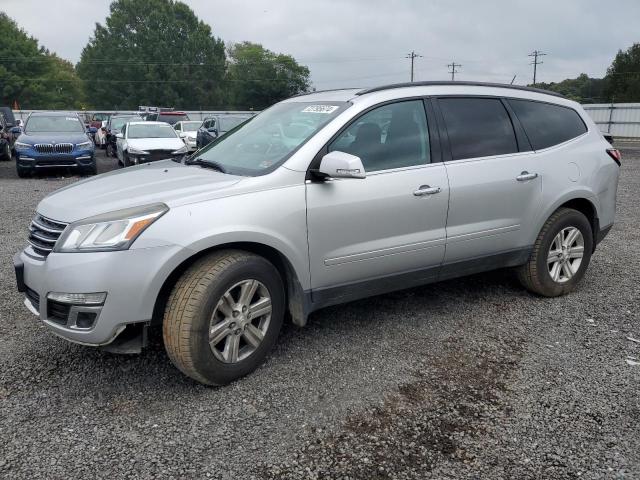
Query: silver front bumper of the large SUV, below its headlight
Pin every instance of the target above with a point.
(131, 278)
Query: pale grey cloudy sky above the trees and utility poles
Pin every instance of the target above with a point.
(364, 42)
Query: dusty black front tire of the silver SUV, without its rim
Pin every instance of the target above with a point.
(192, 303)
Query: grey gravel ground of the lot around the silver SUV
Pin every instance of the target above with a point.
(470, 378)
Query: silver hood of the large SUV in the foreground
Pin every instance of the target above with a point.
(164, 181)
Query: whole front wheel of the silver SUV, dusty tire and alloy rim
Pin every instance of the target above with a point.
(224, 316)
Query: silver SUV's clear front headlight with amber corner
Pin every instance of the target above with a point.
(110, 231)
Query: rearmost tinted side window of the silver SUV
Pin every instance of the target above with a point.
(546, 124)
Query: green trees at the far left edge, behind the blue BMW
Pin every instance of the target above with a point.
(31, 76)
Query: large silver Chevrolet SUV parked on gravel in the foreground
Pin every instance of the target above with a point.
(321, 199)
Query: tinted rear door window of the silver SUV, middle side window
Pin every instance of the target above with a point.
(478, 127)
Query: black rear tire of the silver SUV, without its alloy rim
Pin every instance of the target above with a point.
(535, 275)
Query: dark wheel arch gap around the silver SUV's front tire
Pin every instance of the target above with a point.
(297, 303)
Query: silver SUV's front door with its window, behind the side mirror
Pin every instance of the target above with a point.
(386, 231)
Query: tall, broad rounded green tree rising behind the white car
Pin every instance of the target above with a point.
(153, 52)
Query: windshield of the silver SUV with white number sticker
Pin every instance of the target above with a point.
(262, 143)
